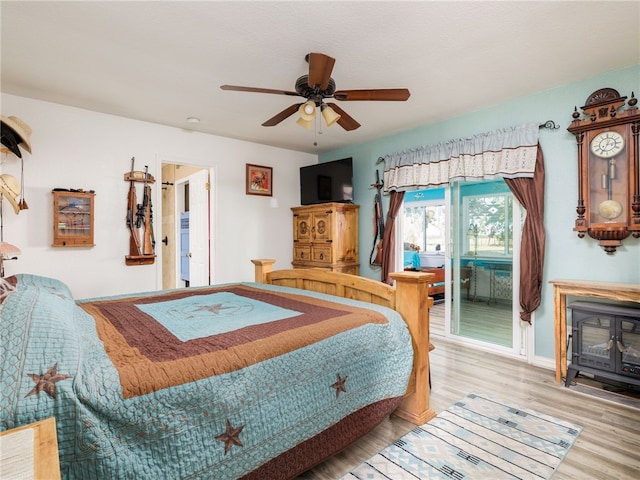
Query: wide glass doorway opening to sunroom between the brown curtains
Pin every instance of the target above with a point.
(472, 230)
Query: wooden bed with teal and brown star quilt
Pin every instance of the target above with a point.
(296, 366)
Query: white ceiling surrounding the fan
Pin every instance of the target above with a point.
(165, 61)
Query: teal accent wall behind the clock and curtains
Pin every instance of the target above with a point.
(566, 255)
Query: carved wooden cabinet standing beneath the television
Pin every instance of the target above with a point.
(326, 236)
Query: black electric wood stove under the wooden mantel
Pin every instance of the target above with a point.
(605, 341)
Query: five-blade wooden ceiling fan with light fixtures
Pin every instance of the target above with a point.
(318, 86)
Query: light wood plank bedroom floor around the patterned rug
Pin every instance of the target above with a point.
(608, 447)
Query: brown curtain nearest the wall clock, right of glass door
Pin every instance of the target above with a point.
(530, 193)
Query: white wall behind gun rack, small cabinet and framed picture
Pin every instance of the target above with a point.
(74, 148)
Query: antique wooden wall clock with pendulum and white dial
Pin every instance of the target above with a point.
(608, 174)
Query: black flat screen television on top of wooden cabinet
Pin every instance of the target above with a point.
(327, 182)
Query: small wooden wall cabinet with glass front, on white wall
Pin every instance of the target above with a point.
(73, 219)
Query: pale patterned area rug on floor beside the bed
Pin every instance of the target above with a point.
(478, 437)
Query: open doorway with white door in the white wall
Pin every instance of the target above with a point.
(187, 219)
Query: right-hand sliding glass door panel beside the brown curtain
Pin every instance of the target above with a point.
(483, 227)
